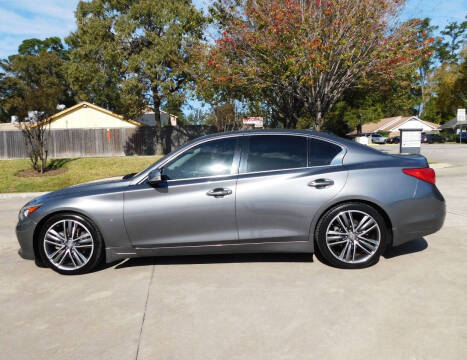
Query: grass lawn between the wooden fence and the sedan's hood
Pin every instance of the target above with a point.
(79, 170)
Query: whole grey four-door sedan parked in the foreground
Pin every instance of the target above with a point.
(293, 191)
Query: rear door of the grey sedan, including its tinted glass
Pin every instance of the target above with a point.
(283, 180)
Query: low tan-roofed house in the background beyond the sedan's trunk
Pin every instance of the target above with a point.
(393, 125)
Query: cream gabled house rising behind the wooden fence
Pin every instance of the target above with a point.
(89, 116)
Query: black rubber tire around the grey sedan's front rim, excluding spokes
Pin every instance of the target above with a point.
(96, 254)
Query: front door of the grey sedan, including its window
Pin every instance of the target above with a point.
(194, 206)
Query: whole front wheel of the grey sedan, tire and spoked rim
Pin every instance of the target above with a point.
(77, 252)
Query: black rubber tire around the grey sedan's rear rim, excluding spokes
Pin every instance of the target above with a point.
(330, 215)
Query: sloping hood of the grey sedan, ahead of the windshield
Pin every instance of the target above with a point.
(84, 189)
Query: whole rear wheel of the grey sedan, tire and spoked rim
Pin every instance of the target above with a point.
(334, 236)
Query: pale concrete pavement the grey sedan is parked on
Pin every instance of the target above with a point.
(411, 305)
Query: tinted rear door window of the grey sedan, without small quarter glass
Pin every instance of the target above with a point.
(275, 152)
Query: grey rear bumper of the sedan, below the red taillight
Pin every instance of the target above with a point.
(421, 216)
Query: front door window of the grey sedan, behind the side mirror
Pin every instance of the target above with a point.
(208, 159)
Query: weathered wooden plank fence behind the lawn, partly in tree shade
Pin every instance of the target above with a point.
(102, 142)
